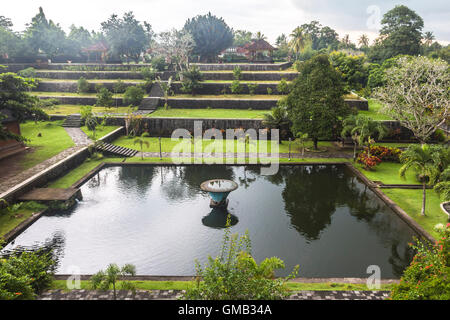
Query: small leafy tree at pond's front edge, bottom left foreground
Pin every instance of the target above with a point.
(110, 277)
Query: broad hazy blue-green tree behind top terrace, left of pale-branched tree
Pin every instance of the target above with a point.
(126, 36)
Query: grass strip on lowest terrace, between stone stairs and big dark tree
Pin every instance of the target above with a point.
(209, 113)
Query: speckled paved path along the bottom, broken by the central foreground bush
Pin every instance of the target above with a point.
(175, 294)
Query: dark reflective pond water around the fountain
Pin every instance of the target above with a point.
(157, 218)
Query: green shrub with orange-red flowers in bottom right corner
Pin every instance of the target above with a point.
(428, 276)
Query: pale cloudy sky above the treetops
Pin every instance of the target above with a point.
(271, 17)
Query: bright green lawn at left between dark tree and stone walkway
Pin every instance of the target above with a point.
(54, 139)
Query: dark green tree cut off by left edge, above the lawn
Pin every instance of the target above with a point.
(16, 100)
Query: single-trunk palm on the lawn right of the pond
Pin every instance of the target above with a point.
(424, 159)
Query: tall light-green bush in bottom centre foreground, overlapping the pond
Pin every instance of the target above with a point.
(235, 275)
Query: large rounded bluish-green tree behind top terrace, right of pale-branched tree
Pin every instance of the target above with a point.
(211, 35)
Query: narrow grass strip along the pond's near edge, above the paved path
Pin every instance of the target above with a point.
(183, 285)
